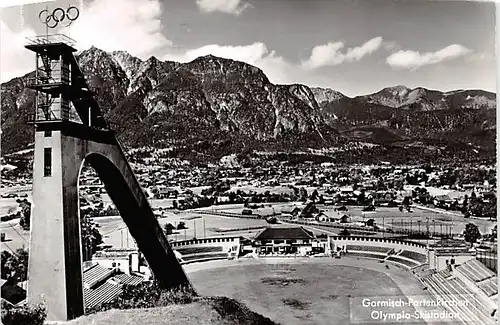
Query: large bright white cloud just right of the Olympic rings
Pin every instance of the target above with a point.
(129, 25)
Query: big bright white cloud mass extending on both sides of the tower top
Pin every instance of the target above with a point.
(130, 25)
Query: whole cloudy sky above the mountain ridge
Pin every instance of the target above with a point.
(352, 46)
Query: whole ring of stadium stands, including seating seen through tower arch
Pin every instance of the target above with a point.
(447, 270)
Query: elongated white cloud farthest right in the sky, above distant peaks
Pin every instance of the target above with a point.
(413, 60)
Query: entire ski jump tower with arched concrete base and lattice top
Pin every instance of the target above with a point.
(69, 131)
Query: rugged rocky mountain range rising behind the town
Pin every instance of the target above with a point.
(211, 107)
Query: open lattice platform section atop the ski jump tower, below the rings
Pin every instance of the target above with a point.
(60, 81)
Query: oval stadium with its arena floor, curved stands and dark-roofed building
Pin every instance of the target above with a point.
(435, 282)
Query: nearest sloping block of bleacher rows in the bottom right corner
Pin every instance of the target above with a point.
(476, 311)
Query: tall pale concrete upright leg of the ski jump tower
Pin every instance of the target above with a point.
(54, 270)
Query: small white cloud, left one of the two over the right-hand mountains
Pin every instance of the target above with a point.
(330, 54)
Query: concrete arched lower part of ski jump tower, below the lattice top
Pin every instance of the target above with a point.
(55, 260)
